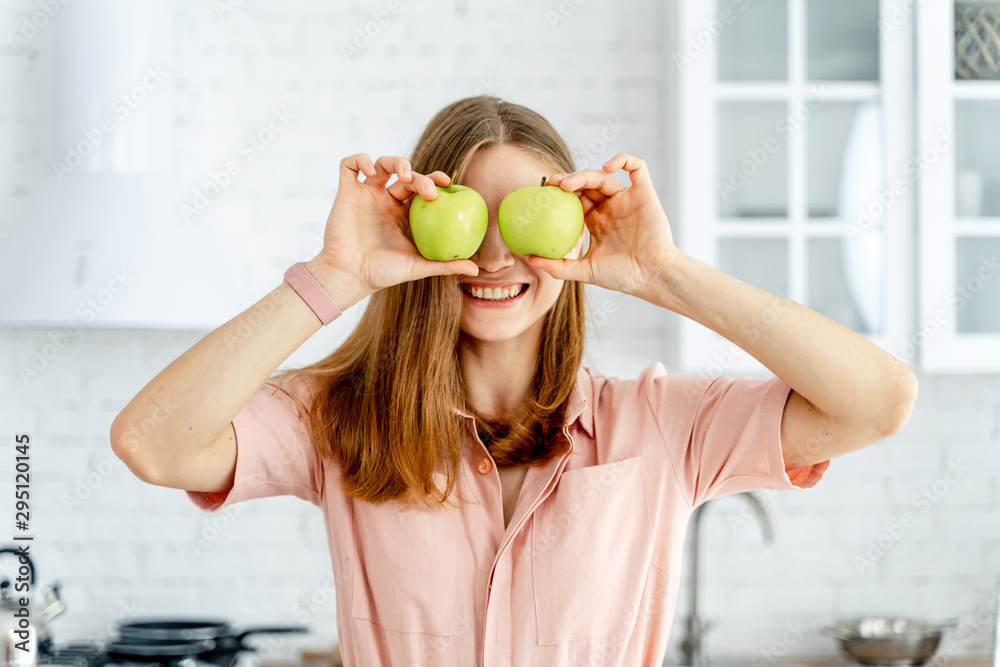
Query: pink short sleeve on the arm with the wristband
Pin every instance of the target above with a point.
(275, 454)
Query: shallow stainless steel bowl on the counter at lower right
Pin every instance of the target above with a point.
(895, 642)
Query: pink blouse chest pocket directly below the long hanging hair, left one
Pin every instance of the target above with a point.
(405, 575)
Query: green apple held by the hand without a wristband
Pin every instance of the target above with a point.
(540, 220)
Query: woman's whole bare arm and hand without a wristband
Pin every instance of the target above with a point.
(847, 392)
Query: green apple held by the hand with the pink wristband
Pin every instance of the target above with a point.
(451, 226)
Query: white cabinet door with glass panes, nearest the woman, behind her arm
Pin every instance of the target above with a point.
(795, 126)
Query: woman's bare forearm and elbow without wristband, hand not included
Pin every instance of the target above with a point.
(847, 392)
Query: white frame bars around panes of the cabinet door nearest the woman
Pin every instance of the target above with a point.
(699, 228)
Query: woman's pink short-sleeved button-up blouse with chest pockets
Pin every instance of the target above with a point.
(589, 566)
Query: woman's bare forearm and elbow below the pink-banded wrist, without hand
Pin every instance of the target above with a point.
(177, 431)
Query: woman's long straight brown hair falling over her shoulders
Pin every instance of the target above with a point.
(384, 402)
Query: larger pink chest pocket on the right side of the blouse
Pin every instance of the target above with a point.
(590, 547)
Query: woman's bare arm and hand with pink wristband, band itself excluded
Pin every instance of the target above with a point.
(178, 431)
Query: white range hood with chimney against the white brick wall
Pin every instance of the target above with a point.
(98, 241)
